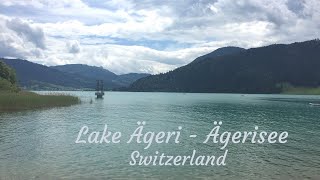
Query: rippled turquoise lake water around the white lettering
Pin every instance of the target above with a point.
(41, 144)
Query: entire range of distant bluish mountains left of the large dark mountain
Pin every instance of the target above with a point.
(67, 77)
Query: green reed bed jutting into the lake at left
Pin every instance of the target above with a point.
(11, 101)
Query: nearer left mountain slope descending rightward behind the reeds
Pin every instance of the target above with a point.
(35, 76)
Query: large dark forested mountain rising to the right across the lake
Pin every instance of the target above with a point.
(256, 70)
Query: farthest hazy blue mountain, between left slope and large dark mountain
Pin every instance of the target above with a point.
(94, 72)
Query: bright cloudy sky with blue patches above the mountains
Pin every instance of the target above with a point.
(145, 35)
